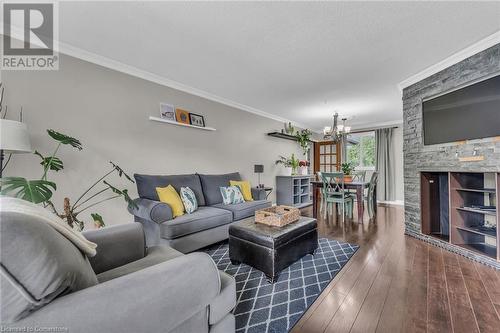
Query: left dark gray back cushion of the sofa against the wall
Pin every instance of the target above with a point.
(147, 184)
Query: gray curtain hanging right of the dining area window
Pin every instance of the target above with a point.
(385, 164)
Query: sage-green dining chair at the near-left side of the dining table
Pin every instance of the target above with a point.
(334, 192)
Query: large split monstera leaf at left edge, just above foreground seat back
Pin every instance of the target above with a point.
(35, 191)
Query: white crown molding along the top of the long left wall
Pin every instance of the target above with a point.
(118, 66)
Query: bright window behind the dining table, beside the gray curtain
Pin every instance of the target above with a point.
(361, 150)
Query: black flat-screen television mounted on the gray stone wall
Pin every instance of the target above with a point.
(471, 112)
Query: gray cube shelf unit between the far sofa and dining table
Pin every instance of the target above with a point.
(294, 191)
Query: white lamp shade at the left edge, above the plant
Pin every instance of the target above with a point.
(14, 137)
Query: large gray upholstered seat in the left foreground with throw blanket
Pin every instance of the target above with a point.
(48, 282)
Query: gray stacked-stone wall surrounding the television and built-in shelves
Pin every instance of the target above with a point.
(418, 158)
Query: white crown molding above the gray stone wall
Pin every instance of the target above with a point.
(469, 51)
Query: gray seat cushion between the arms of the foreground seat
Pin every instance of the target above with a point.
(156, 255)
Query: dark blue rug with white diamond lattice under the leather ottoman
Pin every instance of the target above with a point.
(265, 307)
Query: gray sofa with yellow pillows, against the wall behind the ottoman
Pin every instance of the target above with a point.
(208, 225)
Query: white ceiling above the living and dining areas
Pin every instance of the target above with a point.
(299, 61)
